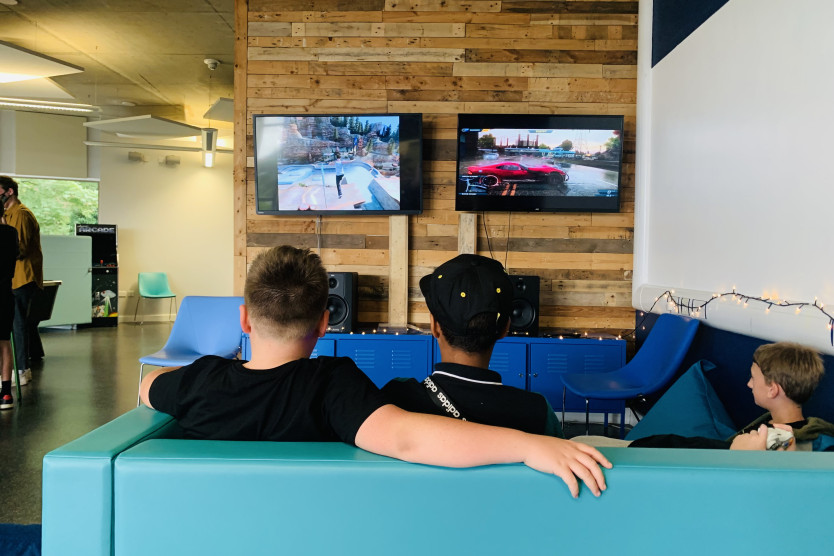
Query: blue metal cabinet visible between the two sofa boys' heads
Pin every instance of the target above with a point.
(383, 357)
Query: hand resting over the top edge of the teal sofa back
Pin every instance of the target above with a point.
(570, 460)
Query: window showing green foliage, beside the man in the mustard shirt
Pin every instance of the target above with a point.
(60, 204)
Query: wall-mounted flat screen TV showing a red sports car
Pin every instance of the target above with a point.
(538, 163)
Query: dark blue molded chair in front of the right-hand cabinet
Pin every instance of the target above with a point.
(651, 369)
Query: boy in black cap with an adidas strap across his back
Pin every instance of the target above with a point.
(470, 299)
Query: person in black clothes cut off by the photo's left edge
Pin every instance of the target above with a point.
(8, 259)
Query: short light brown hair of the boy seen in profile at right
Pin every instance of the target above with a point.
(796, 368)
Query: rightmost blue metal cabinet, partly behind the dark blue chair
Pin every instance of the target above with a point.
(550, 359)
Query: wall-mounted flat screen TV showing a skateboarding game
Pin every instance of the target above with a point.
(338, 164)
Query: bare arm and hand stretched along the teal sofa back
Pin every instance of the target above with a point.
(435, 440)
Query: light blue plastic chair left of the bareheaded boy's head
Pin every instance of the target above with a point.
(204, 326)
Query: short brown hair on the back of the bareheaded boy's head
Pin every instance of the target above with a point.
(286, 291)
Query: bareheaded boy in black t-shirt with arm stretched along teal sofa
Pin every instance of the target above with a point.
(281, 394)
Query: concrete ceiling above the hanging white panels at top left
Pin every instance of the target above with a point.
(144, 52)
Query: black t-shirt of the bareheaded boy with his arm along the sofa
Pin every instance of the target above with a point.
(308, 400)
